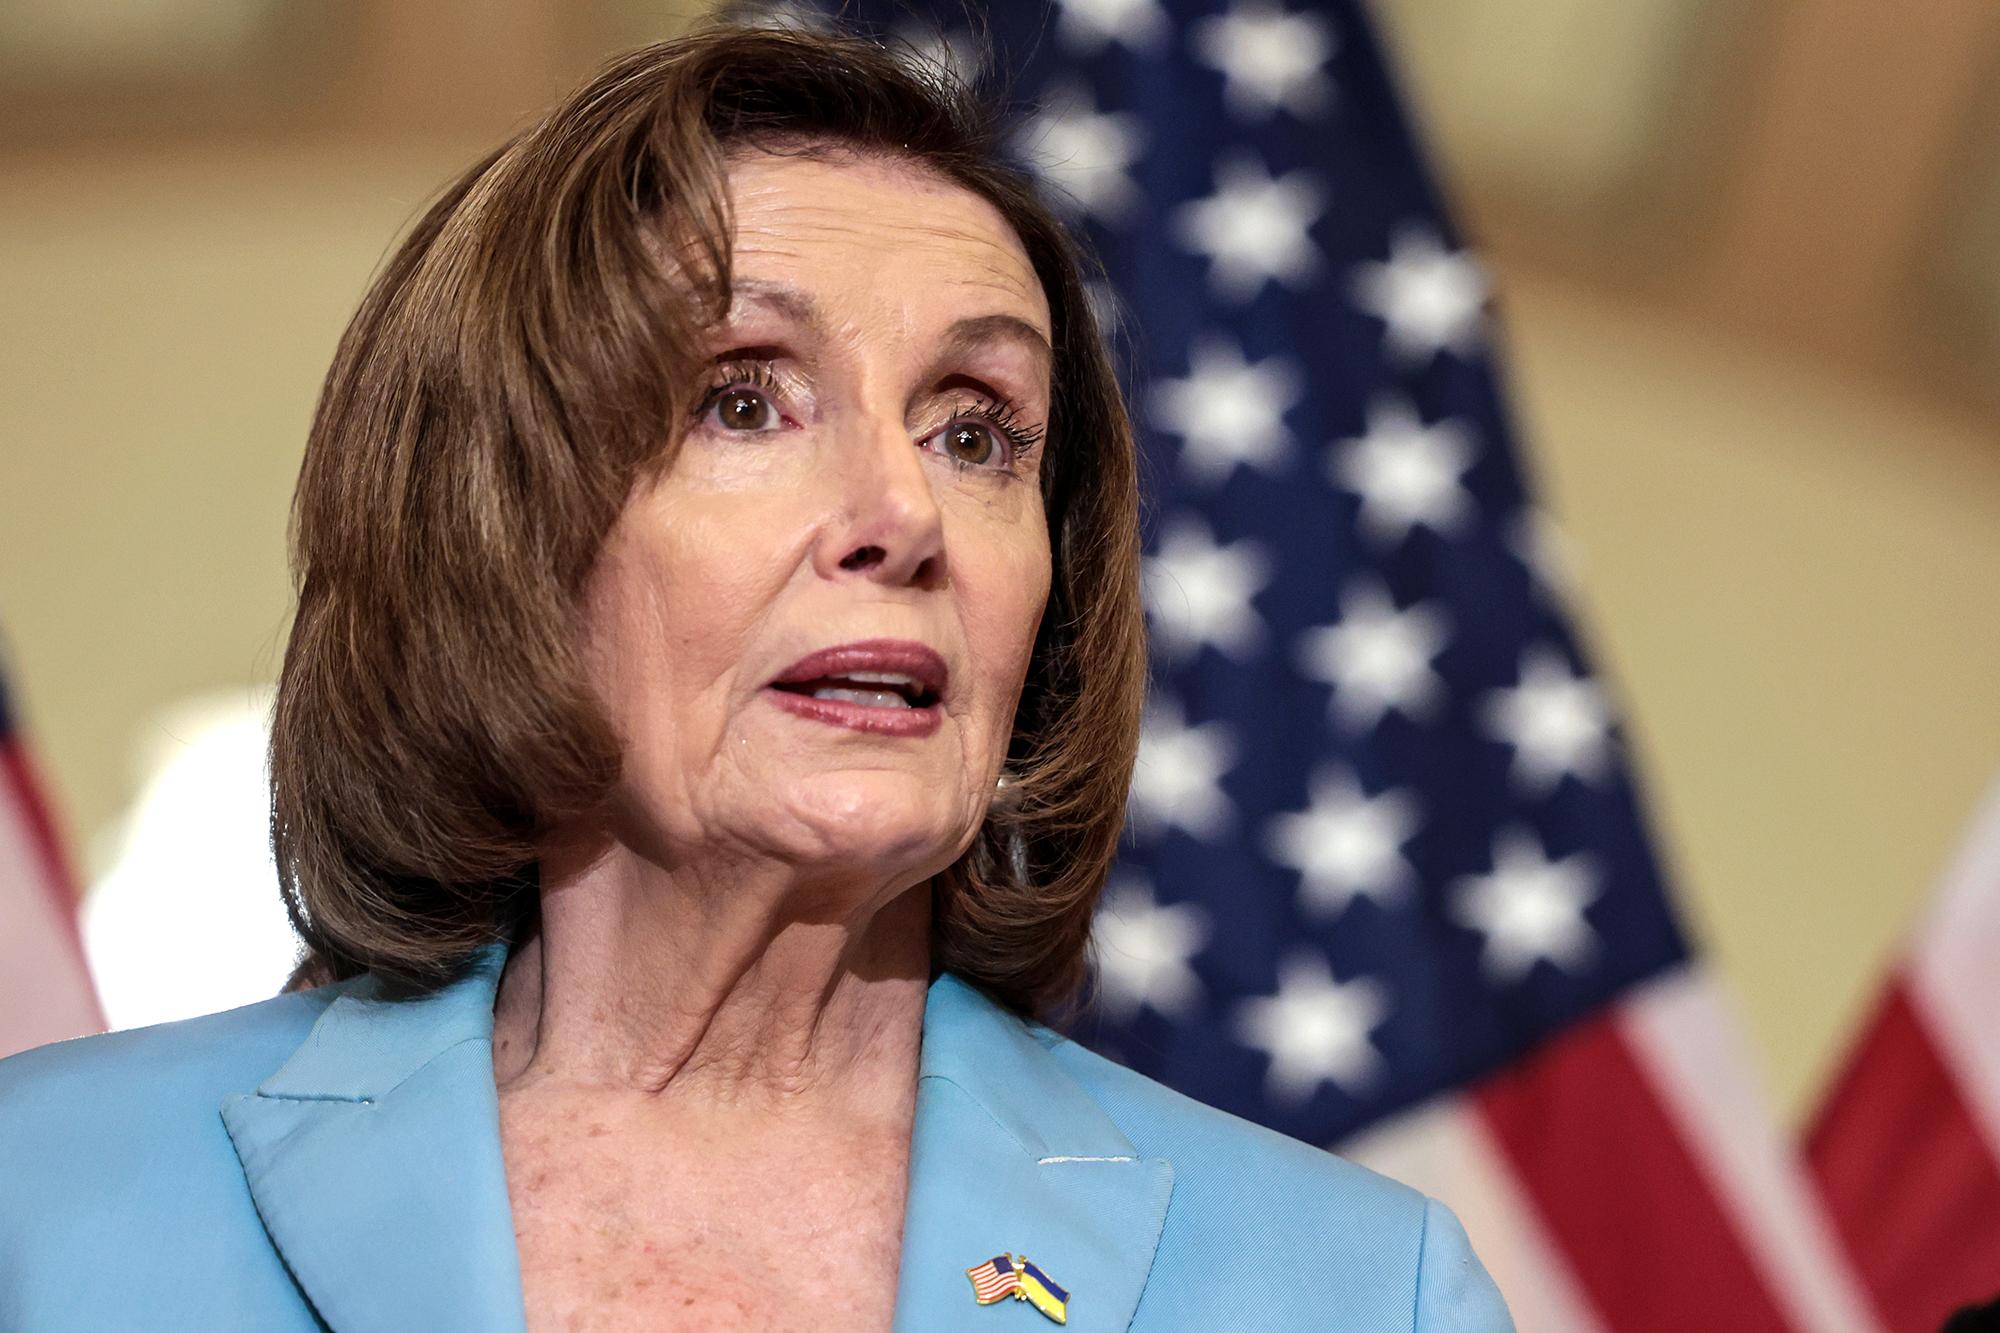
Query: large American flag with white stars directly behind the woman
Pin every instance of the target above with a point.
(1389, 888)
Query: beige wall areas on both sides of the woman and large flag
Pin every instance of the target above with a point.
(1791, 577)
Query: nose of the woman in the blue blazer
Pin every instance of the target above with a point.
(889, 527)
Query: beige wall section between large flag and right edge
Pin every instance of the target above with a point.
(1797, 587)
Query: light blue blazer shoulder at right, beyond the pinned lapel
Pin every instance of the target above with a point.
(1267, 1210)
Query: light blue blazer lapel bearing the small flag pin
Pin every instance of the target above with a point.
(1013, 1158)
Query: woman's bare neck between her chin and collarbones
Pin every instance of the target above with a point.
(749, 986)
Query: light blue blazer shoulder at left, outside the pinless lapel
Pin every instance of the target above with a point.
(115, 1158)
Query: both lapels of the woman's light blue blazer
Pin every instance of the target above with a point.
(375, 1162)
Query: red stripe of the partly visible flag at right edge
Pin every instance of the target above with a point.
(1907, 1176)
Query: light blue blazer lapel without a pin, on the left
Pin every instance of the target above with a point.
(375, 1164)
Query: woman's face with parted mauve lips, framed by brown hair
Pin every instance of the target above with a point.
(813, 629)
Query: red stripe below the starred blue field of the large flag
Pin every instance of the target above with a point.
(1621, 1192)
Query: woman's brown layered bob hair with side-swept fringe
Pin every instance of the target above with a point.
(529, 357)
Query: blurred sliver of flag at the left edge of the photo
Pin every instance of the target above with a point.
(45, 992)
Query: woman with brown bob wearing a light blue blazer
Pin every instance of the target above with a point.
(701, 744)
